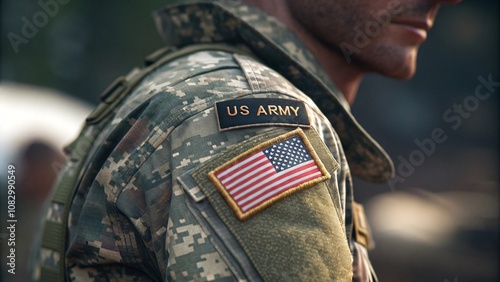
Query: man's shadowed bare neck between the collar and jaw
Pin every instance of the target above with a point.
(347, 77)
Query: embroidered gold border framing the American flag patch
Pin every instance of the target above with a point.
(245, 215)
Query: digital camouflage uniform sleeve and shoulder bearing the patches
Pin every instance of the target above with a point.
(155, 209)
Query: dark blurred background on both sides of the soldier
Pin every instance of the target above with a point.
(438, 222)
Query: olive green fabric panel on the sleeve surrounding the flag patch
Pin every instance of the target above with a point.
(297, 238)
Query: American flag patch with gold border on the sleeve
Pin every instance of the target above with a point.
(269, 172)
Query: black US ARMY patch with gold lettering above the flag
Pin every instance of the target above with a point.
(260, 112)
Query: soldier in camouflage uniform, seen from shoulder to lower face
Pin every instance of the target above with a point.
(232, 158)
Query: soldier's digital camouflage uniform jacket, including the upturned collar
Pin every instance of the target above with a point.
(145, 208)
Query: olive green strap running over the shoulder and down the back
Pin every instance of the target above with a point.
(54, 236)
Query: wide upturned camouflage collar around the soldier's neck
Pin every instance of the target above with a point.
(233, 22)
